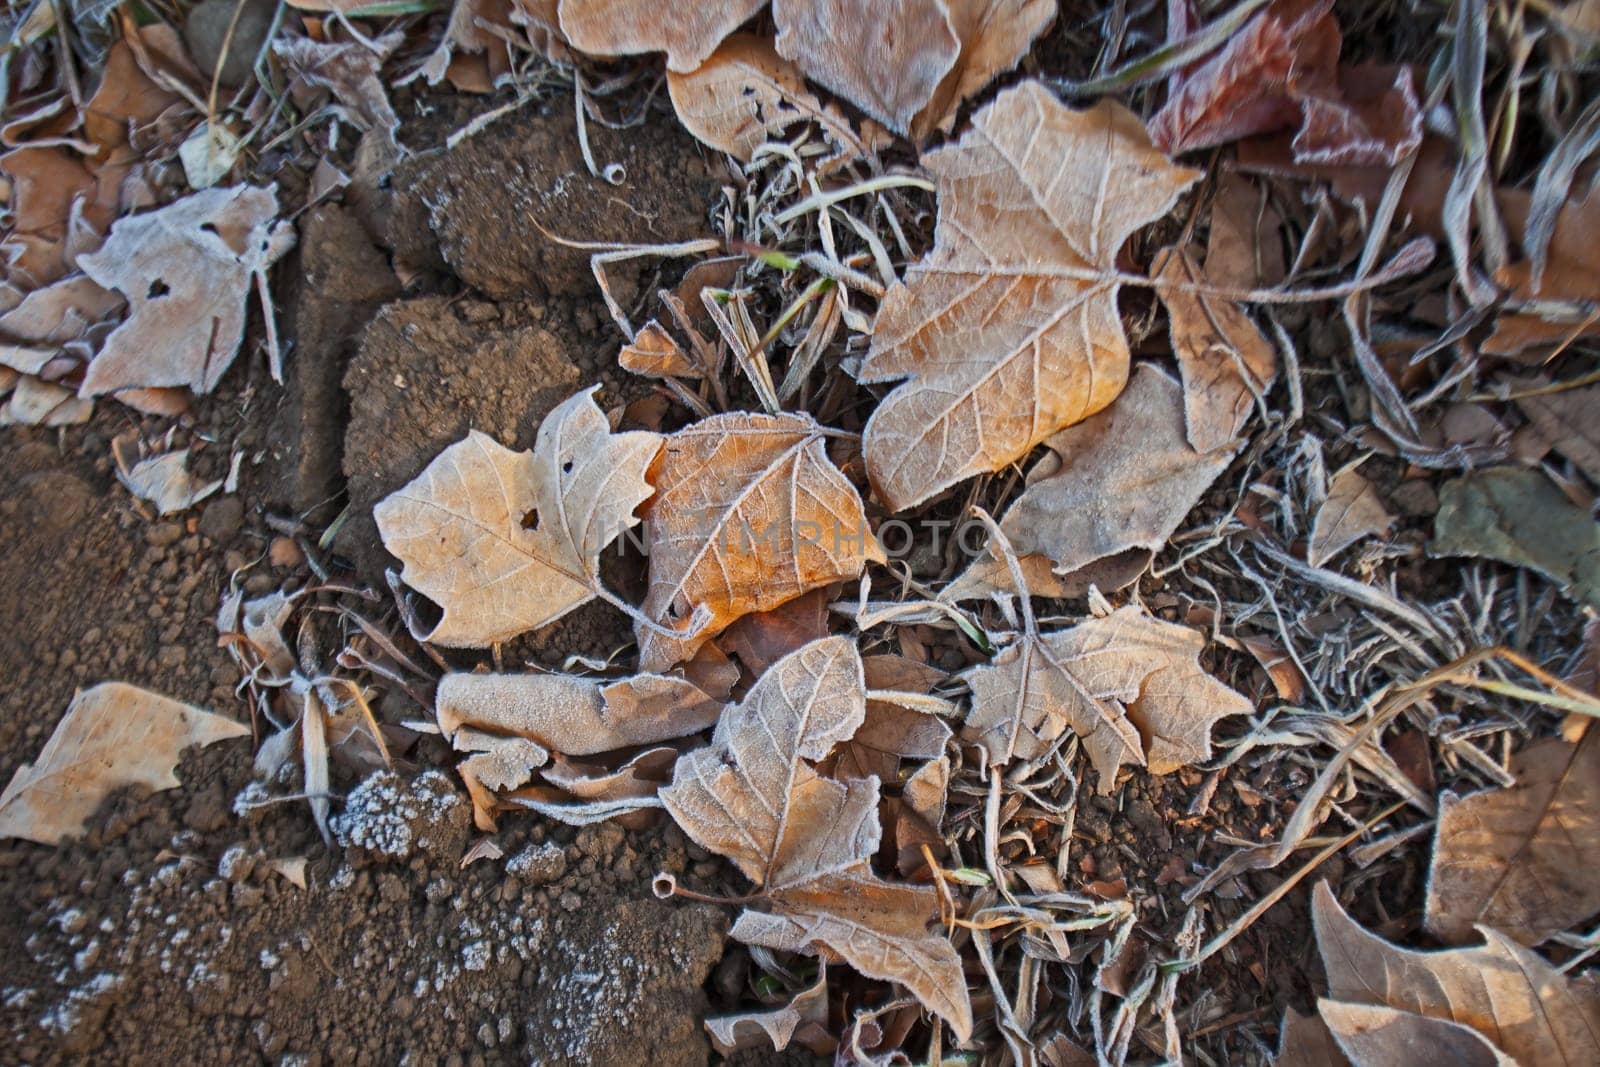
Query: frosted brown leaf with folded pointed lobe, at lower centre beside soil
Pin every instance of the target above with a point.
(756, 797)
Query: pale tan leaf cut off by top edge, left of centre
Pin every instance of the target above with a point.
(689, 33)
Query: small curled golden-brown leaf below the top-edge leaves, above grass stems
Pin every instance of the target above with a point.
(746, 95)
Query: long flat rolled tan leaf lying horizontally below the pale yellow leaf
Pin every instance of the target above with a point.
(575, 716)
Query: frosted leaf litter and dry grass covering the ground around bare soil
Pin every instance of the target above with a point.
(905, 796)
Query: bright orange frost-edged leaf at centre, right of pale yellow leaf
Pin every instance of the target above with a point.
(750, 513)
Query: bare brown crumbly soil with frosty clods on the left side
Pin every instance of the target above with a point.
(166, 933)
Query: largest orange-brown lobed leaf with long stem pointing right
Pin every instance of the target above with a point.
(1009, 330)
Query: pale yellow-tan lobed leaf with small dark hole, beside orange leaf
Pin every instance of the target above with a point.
(508, 541)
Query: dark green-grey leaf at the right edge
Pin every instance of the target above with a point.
(1521, 518)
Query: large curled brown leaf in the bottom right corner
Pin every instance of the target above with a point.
(1510, 996)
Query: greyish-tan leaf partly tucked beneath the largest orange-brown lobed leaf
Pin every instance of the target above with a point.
(1124, 479)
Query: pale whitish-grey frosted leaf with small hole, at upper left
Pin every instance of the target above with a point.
(186, 271)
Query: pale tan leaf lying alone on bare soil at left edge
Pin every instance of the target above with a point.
(113, 735)
